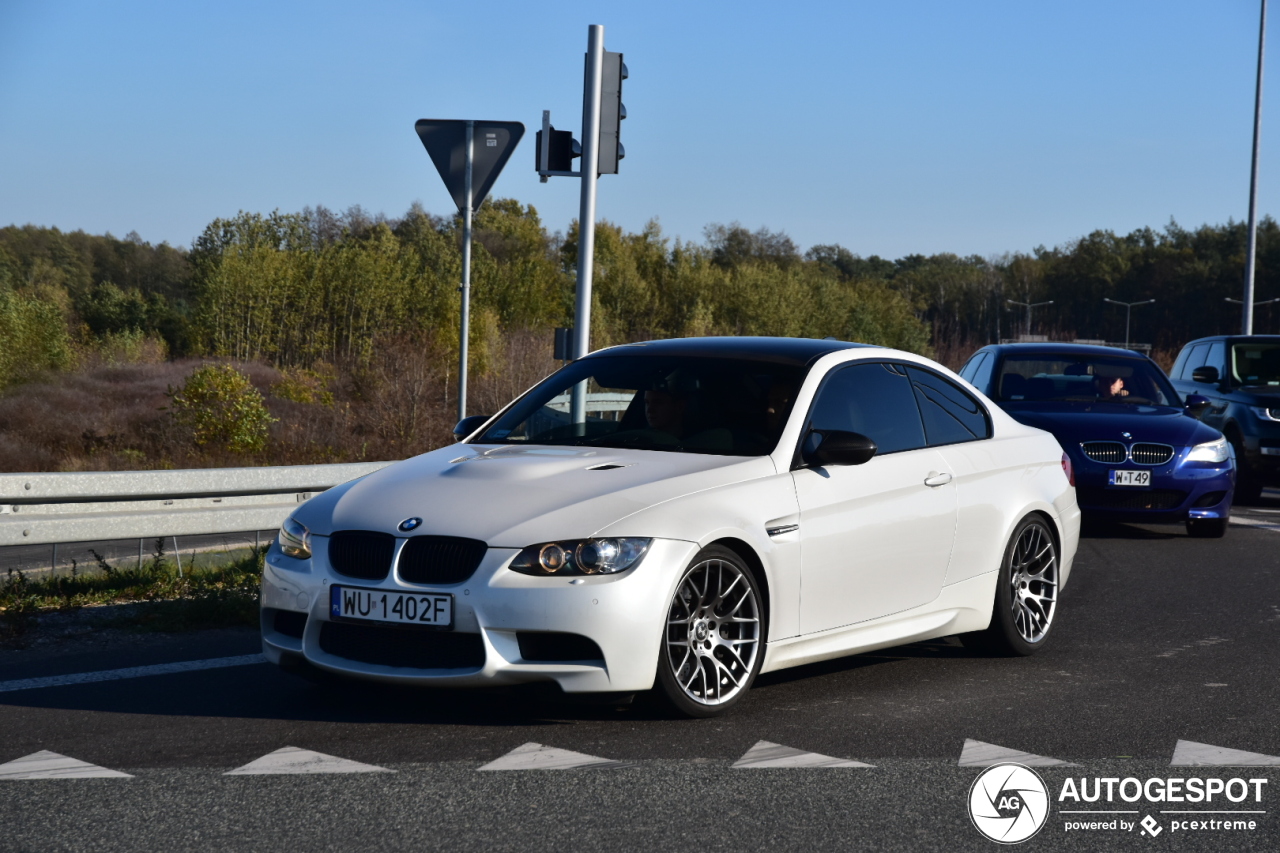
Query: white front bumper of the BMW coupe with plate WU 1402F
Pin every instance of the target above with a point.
(623, 614)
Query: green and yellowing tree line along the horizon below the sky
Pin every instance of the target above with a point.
(295, 290)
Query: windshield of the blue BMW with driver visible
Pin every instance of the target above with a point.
(1057, 377)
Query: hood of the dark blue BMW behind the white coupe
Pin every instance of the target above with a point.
(1073, 423)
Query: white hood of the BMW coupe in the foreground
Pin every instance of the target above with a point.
(518, 496)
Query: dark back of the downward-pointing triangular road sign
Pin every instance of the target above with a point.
(492, 145)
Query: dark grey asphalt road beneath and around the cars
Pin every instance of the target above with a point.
(1160, 640)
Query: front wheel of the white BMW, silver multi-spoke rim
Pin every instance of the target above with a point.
(714, 638)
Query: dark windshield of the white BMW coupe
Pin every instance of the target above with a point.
(685, 404)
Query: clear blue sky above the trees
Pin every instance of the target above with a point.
(889, 129)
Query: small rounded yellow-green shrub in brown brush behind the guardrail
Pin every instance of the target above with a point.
(220, 407)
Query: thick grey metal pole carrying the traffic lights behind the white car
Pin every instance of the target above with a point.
(587, 212)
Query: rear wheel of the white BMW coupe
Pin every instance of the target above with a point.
(1022, 617)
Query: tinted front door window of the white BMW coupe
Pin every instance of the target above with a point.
(875, 400)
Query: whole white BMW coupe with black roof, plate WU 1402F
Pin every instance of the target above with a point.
(682, 517)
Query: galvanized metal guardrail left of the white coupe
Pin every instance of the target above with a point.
(86, 507)
